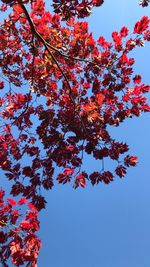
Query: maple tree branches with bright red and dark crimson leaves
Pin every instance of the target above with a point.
(60, 92)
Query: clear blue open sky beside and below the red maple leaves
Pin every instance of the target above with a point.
(107, 225)
